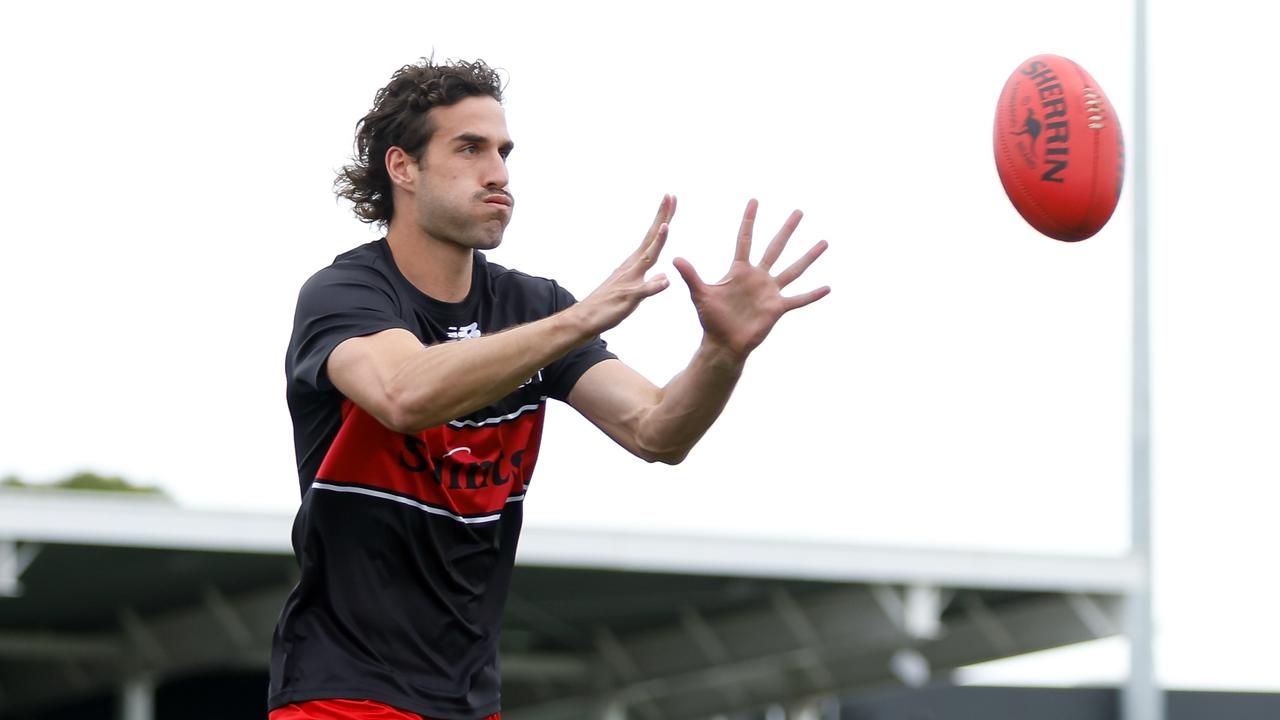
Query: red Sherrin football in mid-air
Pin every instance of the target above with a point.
(1059, 149)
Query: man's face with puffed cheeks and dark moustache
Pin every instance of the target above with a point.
(463, 192)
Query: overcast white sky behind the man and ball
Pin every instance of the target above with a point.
(967, 384)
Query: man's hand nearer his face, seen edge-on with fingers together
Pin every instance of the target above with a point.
(624, 290)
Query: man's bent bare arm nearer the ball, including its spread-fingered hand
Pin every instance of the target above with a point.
(738, 313)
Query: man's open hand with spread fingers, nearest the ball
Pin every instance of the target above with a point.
(739, 312)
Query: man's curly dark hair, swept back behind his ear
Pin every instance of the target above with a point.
(399, 120)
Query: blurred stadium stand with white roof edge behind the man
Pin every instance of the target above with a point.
(109, 594)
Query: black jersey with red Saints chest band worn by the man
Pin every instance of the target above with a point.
(406, 543)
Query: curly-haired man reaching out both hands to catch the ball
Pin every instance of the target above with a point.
(418, 377)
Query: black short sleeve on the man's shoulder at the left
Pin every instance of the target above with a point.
(340, 303)
